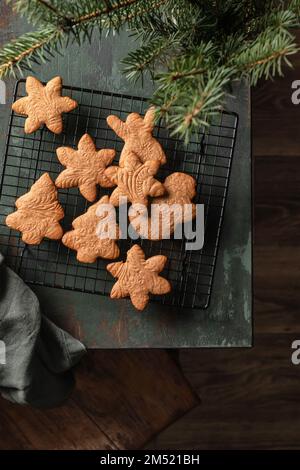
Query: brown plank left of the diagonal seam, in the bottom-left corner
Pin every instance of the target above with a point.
(67, 427)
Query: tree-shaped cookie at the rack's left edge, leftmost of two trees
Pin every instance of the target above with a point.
(38, 213)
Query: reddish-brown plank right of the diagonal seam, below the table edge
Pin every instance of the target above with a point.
(138, 393)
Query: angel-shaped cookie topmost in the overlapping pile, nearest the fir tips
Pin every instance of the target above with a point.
(136, 132)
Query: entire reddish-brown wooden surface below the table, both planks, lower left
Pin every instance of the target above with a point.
(122, 399)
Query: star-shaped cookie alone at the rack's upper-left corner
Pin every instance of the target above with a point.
(44, 105)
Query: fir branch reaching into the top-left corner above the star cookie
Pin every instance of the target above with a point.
(60, 15)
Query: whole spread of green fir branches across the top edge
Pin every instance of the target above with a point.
(192, 48)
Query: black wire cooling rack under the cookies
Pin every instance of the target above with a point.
(208, 158)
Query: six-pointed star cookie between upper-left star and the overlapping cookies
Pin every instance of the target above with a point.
(85, 167)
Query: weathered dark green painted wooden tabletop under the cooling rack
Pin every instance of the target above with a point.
(102, 323)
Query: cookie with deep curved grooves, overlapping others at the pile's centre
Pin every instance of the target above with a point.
(135, 181)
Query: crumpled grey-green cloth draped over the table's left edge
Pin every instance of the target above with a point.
(38, 355)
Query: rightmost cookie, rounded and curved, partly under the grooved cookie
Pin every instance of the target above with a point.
(168, 211)
